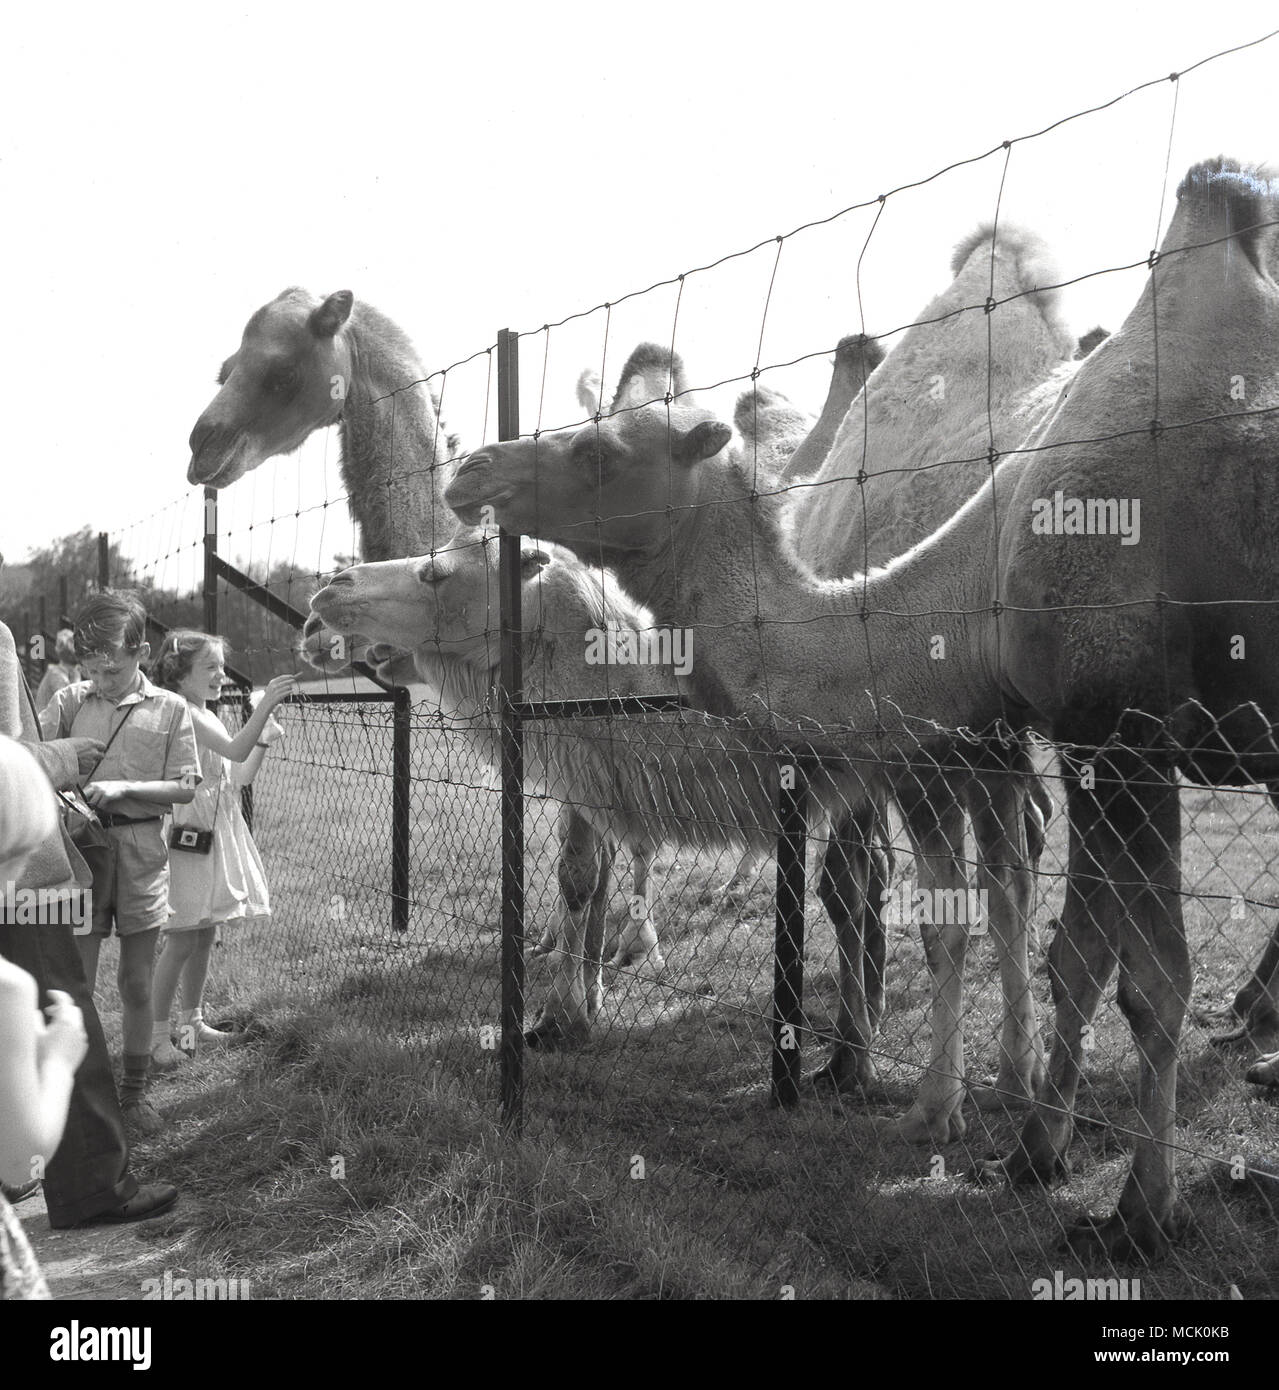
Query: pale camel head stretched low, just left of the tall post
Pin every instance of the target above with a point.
(447, 601)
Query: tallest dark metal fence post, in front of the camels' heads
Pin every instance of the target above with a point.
(511, 692)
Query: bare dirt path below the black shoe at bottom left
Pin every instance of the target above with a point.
(106, 1263)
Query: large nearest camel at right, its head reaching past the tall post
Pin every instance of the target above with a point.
(1120, 653)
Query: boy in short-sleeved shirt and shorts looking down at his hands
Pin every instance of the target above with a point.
(151, 764)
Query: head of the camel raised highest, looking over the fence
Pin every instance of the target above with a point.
(288, 379)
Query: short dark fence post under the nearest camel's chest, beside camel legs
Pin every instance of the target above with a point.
(789, 945)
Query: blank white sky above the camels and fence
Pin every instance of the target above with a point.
(475, 167)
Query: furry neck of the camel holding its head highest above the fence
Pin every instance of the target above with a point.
(393, 450)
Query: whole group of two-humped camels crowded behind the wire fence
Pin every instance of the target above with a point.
(896, 626)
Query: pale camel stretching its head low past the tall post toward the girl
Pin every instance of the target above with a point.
(685, 782)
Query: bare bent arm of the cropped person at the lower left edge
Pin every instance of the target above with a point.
(38, 1064)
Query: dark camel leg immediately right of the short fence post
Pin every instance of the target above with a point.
(853, 893)
